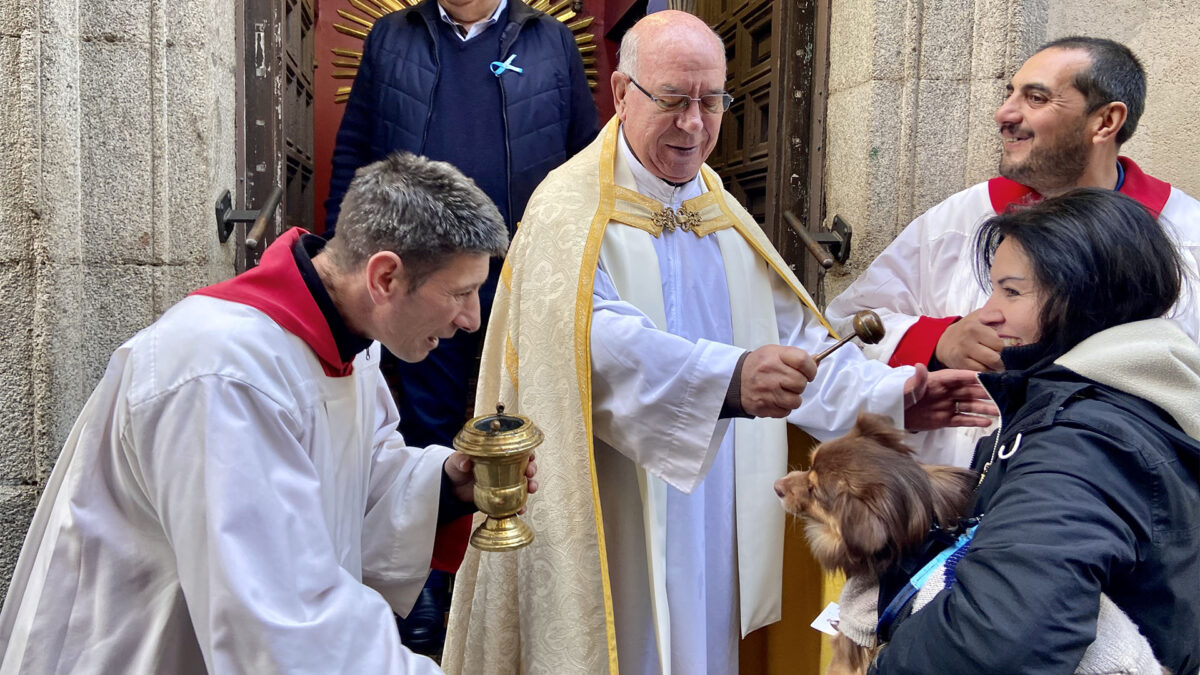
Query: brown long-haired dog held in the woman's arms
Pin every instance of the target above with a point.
(867, 503)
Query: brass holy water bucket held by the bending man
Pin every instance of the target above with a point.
(500, 446)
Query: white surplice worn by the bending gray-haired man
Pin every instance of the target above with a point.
(225, 506)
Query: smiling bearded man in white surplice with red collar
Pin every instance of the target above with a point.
(1069, 111)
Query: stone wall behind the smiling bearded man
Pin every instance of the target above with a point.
(914, 87)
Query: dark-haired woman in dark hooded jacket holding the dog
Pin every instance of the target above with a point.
(1090, 483)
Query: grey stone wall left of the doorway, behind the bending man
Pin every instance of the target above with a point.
(118, 128)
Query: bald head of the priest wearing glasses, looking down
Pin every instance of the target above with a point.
(670, 93)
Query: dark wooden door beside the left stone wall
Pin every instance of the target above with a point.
(275, 140)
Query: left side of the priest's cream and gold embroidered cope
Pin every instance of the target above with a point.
(547, 608)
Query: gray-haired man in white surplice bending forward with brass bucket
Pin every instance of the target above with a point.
(236, 497)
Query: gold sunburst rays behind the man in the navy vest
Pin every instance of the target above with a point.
(346, 62)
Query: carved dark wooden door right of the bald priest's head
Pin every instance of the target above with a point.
(766, 153)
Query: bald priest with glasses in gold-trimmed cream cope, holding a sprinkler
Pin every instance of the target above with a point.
(647, 325)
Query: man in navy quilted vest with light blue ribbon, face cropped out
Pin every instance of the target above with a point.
(497, 89)
